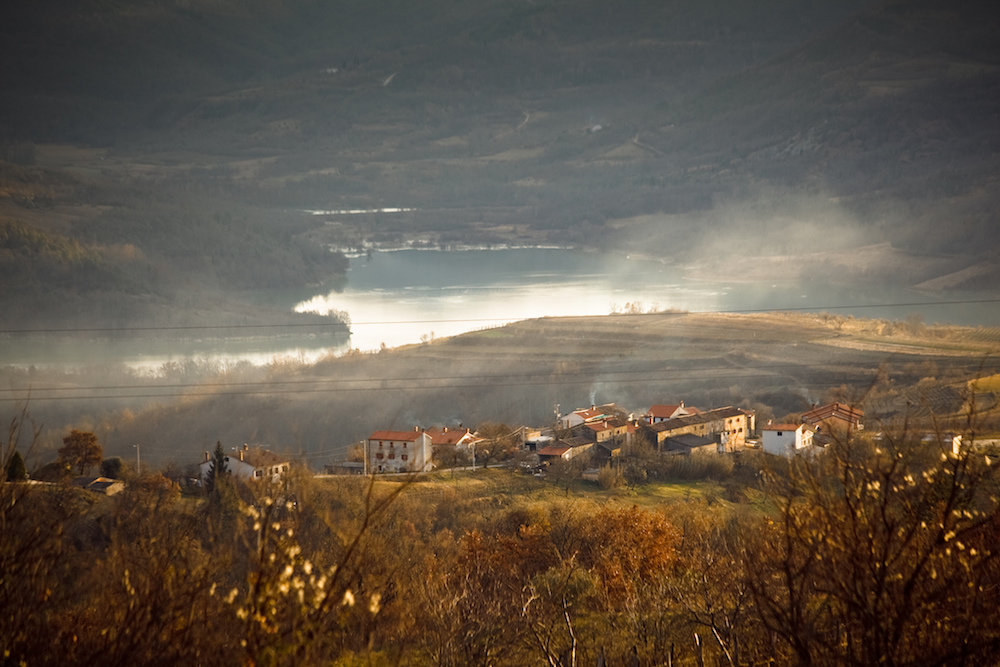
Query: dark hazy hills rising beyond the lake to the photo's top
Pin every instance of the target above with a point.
(162, 149)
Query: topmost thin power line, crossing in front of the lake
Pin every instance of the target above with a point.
(292, 325)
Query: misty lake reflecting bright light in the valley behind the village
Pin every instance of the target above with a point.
(405, 296)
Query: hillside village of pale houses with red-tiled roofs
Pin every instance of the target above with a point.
(584, 440)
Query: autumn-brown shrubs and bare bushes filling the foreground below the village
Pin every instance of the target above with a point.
(878, 551)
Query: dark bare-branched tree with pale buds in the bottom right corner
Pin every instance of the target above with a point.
(882, 551)
